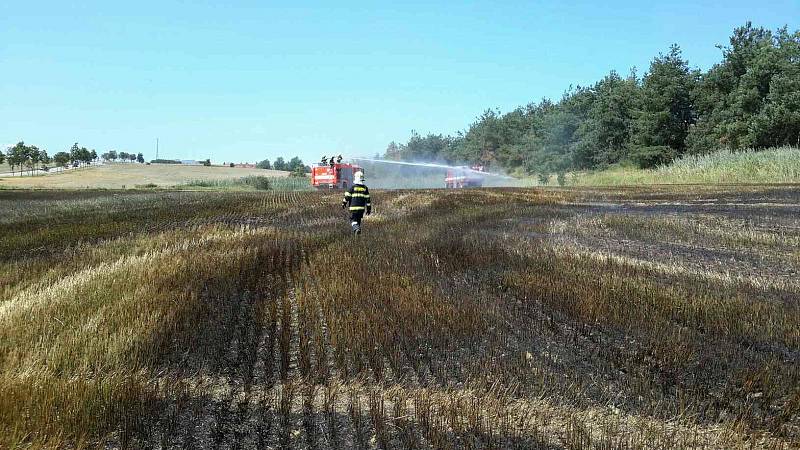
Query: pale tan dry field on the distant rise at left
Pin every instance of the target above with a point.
(129, 176)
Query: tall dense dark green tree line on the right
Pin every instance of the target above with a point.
(750, 99)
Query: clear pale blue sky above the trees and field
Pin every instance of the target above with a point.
(245, 81)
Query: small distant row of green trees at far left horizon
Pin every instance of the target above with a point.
(31, 158)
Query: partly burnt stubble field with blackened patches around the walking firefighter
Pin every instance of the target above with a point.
(662, 317)
